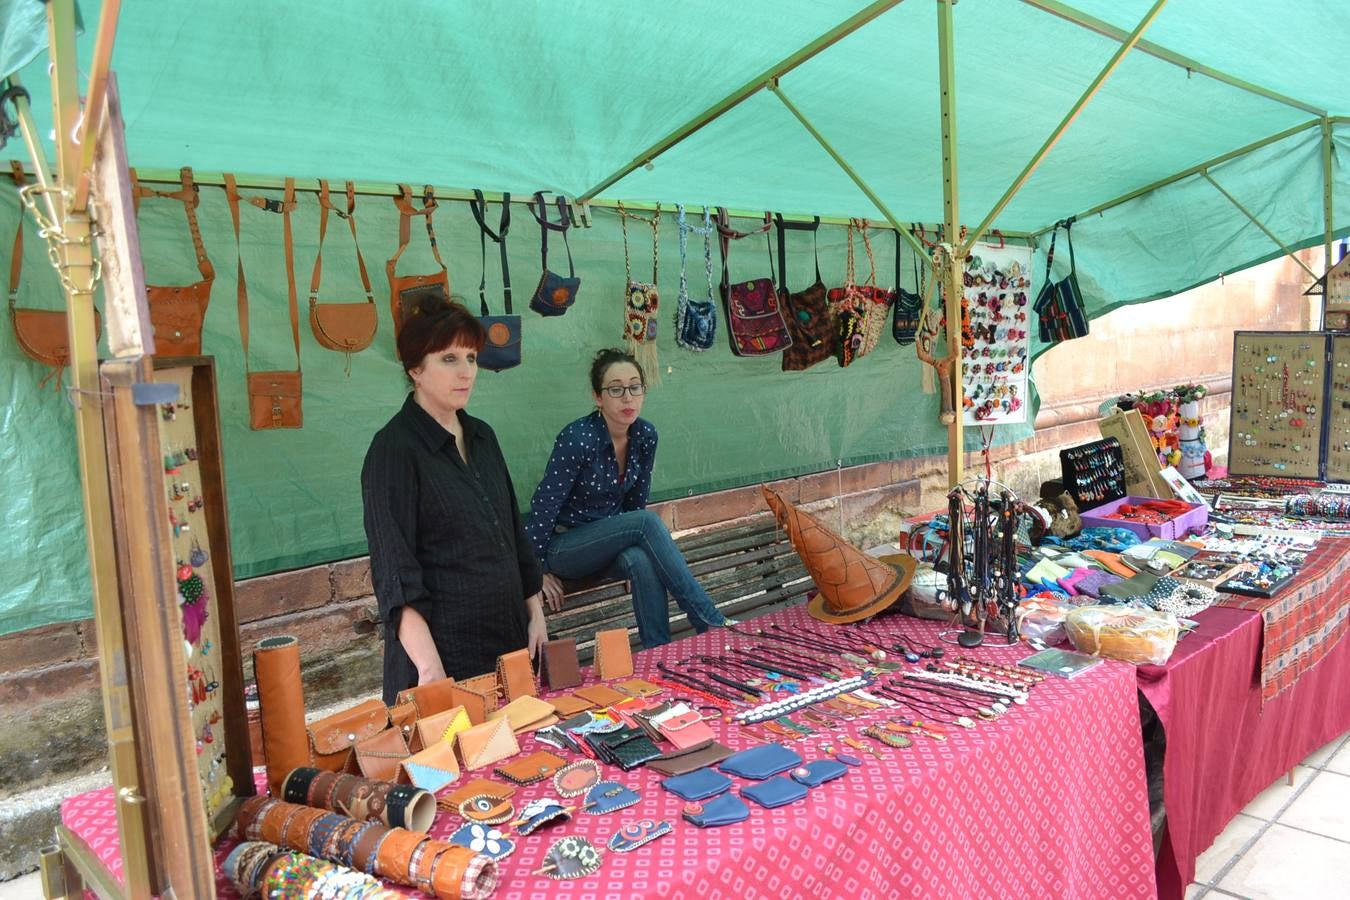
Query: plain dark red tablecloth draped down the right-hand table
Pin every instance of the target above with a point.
(1222, 747)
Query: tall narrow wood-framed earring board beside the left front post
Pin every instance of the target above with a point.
(199, 526)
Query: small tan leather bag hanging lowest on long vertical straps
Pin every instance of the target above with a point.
(275, 397)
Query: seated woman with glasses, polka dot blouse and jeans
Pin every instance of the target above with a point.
(589, 515)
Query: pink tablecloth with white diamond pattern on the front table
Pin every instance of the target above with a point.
(1047, 802)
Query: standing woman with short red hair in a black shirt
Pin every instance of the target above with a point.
(453, 570)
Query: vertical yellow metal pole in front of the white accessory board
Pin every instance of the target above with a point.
(955, 261)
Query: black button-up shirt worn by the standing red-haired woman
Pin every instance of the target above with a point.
(446, 539)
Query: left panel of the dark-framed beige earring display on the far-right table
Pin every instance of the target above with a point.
(1280, 395)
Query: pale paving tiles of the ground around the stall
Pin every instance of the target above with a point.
(1290, 844)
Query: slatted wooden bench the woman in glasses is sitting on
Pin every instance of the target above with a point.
(743, 567)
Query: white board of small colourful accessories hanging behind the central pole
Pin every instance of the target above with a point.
(997, 339)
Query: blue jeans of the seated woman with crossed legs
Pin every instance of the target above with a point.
(639, 549)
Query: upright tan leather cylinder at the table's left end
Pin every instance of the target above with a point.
(283, 700)
